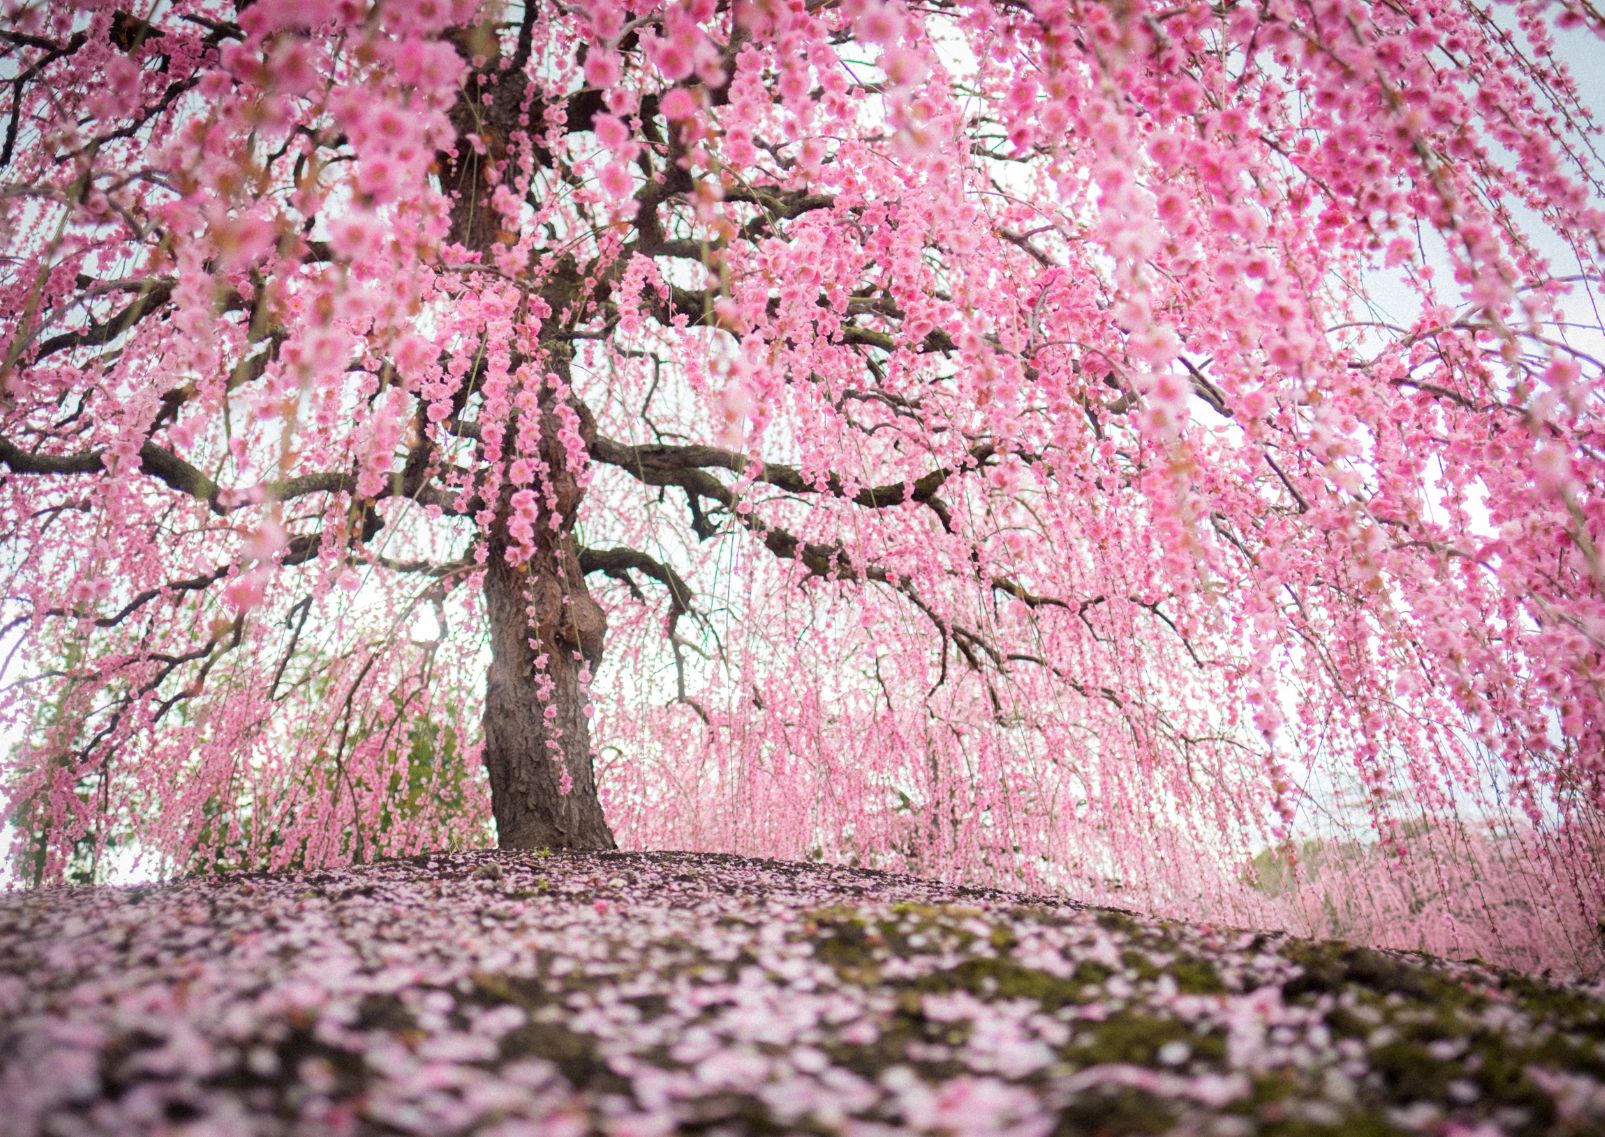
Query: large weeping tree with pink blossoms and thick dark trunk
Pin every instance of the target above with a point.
(935, 431)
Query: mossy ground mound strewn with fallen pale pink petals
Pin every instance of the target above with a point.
(625, 993)
